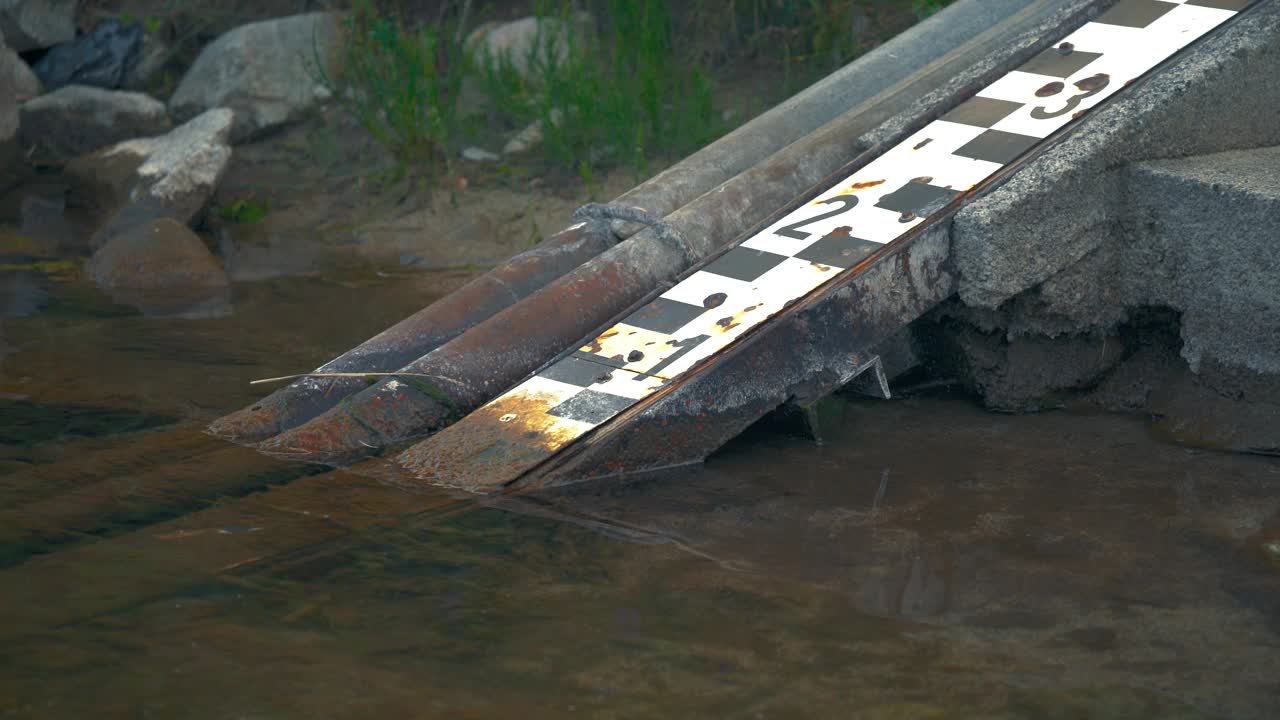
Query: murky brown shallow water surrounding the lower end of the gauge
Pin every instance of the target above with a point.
(931, 562)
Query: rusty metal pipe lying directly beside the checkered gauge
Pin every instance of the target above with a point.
(496, 354)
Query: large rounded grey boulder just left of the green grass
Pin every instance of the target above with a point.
(267, 72)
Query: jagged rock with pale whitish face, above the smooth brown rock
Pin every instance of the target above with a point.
(179, 171)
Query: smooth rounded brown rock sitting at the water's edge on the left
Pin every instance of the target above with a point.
(162, 268)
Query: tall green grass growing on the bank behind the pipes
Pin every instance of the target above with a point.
(629, 85)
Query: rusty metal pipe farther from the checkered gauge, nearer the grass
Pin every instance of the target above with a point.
(670, 190)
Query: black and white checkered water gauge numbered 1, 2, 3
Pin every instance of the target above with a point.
(714, 307)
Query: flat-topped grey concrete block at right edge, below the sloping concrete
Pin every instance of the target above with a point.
(1205, 235)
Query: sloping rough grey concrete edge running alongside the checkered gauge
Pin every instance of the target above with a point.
(1003, 244)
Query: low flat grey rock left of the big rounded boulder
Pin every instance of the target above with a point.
(77, 120)
